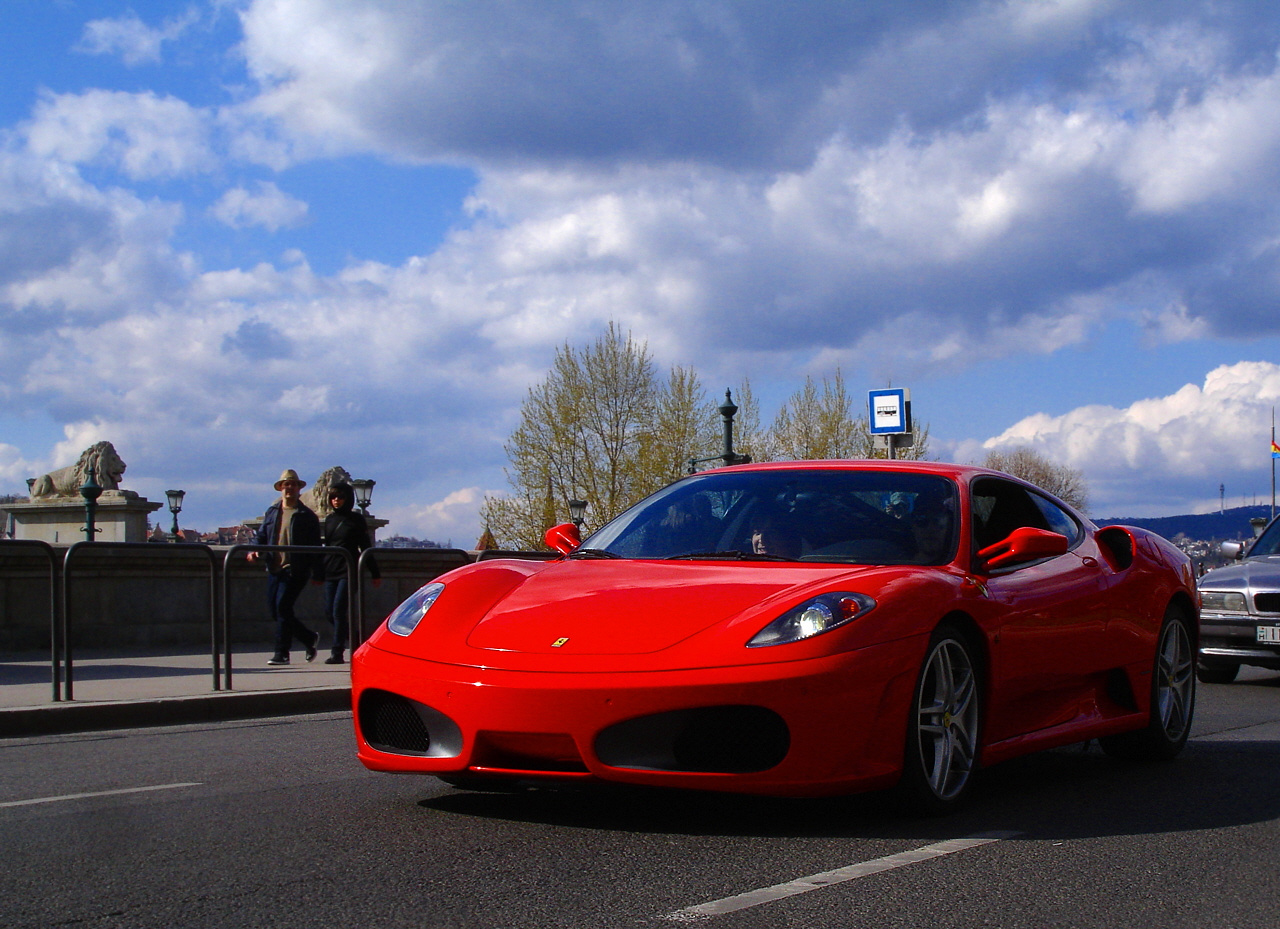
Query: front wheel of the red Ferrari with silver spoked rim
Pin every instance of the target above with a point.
(941, 756)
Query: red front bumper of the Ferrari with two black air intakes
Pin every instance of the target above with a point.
(813, 727)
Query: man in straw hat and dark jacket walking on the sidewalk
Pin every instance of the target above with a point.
(290, 521)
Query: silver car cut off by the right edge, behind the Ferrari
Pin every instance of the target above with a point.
(1241, 610)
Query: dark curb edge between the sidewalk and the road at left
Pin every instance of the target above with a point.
(129, 715)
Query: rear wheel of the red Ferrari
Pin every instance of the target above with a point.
(1173, 698)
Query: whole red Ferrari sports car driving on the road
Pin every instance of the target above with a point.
(794, 629)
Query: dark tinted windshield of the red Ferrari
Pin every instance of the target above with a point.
(854, 518)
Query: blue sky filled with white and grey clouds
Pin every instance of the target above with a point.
(239, 236)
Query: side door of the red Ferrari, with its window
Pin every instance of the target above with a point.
(1049, 617)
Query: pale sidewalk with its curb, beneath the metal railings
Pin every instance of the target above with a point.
(139, 688)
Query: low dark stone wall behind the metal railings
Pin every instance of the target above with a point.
(159, 596)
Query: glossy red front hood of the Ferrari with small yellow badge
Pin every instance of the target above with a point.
(634, 615)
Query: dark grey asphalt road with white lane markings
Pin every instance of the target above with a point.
(273, 823)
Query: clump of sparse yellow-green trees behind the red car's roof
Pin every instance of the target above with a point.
(604, 427)
